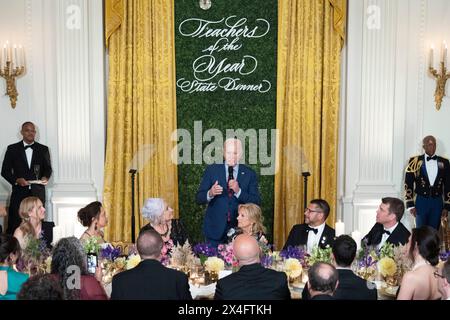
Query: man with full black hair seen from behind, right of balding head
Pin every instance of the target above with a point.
(351, 287)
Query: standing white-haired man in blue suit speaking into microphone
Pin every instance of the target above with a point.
(223, 187)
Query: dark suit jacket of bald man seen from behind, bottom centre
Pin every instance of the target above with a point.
(253, 282)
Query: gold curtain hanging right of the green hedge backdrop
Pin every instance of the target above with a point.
(310, 39)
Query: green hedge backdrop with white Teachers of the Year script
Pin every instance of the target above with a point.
(225, 109)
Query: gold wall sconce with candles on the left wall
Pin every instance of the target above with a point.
(12, 66)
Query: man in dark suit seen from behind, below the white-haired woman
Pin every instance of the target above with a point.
(150, 280)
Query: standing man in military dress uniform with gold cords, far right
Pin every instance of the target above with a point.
(427, 186)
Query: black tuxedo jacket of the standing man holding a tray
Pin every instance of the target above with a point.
(15, 166)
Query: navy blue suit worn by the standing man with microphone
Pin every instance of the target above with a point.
(215, 222)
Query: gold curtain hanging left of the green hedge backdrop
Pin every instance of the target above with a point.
(141, 109)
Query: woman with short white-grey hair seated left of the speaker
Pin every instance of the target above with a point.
(160, 215)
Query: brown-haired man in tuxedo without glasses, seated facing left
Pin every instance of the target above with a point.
(388, 227)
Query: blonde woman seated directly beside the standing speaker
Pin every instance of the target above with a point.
(250, 222)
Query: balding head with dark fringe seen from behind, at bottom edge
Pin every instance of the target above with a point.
(322, 281)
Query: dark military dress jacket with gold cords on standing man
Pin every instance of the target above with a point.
(417, 182)
